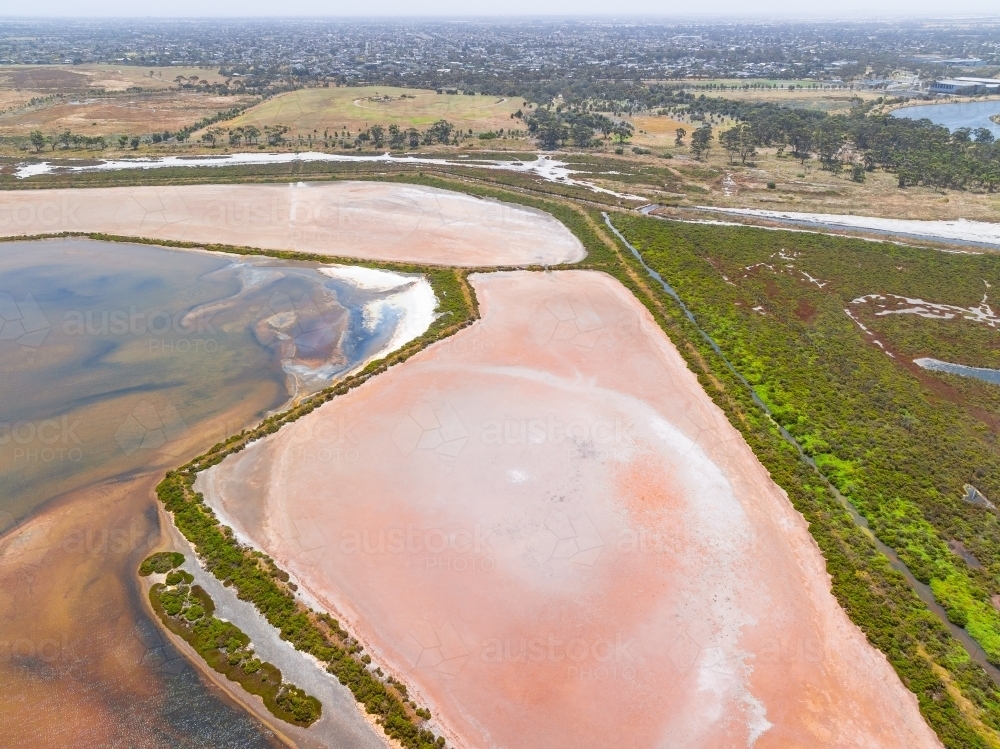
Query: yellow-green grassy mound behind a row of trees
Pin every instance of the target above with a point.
(355, 109)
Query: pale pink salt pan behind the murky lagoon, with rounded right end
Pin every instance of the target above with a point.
(368, 220)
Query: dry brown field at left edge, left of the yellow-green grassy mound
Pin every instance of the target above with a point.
(136, 114)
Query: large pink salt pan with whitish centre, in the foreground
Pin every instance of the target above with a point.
(550, 532)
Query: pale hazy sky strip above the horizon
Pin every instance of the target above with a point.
(845, 9)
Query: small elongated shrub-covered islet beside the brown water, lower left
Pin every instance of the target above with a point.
(187, 611)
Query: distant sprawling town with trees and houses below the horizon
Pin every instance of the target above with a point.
(492, 56)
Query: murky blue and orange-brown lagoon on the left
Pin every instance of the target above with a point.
(117, 362)
